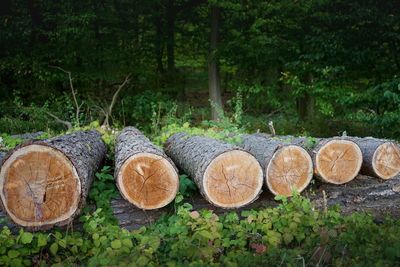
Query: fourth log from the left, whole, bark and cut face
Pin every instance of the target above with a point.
(286, 166)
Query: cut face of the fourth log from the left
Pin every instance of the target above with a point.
(290, 168)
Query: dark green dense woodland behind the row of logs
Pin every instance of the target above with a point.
(301, 64)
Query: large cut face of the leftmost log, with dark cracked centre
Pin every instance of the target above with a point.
(39, 186)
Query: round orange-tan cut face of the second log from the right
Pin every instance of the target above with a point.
(338, 161)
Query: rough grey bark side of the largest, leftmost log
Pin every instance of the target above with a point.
(85, 150)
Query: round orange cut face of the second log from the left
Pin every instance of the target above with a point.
(148, 181)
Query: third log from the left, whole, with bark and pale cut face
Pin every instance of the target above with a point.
(226, 175)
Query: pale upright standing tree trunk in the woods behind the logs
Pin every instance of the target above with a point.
(213, 69)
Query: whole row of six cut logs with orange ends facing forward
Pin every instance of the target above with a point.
(44, 183)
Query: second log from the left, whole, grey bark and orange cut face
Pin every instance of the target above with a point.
(145, 176)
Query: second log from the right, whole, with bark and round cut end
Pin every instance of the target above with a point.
(336, 160)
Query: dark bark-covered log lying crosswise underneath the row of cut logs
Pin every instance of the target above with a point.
(363, 194)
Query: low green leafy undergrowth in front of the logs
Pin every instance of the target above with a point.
(294, 233)
